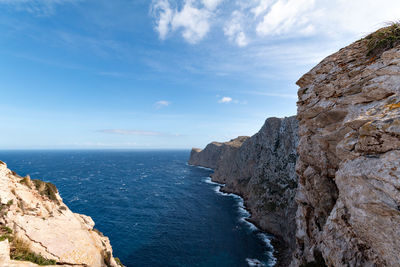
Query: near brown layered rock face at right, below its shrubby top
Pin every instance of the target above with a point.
(349, 160)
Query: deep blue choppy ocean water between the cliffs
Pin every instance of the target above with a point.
(156, 209)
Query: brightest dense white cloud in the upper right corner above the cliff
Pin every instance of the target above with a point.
(328, 18)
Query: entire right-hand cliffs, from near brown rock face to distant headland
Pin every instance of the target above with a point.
(348, 167)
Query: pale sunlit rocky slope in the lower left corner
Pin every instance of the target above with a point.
(37, 227)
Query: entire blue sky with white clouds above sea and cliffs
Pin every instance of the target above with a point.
(162, 74)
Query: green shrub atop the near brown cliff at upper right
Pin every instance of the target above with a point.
(383, 39)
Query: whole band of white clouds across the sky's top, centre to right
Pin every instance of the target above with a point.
(244, 22)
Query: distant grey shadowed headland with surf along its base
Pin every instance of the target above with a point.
(262, 170)
